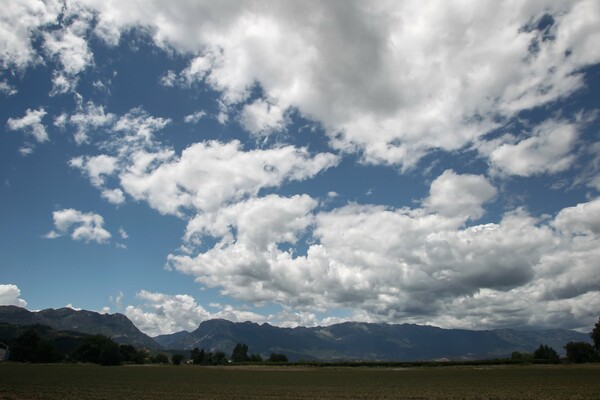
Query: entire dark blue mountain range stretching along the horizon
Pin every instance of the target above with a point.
(345, 341)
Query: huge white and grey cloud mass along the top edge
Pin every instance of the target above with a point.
(376, 80)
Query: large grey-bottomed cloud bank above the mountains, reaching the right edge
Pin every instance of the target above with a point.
(420, 265)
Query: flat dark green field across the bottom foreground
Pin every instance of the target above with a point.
(22, 382)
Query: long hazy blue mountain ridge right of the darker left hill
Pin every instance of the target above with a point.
(365, 341)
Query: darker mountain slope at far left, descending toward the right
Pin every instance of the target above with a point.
(117, 326)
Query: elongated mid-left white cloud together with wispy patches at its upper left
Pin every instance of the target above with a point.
(205, 176)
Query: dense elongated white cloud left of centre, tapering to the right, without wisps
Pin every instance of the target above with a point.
(210, 174)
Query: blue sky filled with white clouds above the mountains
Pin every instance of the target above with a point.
(302, 163)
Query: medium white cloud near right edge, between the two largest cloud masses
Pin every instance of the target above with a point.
(547, 150)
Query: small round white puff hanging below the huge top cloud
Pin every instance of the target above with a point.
(262, 118)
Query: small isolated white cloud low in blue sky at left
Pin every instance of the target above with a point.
(81, 226)
